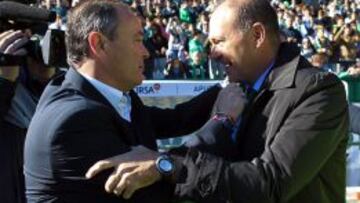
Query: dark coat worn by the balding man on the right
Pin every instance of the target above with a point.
(290, 146)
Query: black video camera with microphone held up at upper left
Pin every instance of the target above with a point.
(46, 45)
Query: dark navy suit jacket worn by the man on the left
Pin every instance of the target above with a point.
(74, 126)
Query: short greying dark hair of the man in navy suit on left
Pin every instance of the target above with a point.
(92, 15)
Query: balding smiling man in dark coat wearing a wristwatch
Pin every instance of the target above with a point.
(289, 143)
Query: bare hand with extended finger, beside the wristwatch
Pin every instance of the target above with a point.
(132, 170)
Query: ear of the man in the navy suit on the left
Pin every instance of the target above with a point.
(96, 44)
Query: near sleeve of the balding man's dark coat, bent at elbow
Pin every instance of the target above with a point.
(311, 133)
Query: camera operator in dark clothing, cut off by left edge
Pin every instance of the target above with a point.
(20, 89)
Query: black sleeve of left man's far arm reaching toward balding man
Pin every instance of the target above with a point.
(185, 118)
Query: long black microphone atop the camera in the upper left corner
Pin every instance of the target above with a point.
(21, 12)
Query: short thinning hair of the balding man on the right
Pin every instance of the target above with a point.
(257, 11)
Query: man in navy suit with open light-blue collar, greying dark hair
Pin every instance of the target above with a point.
(78, 121)
